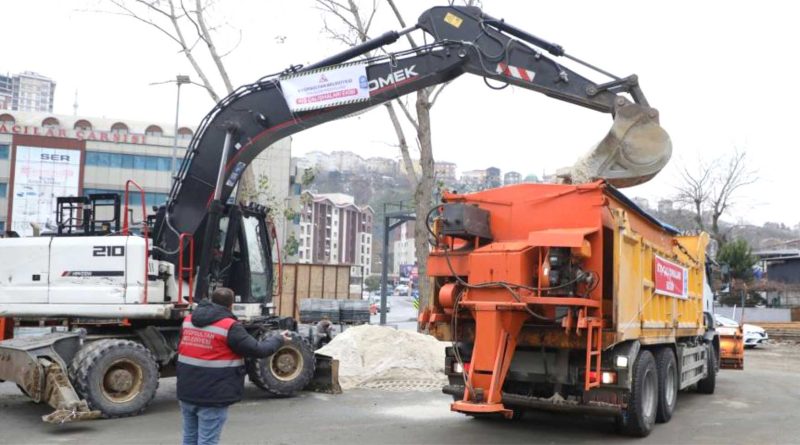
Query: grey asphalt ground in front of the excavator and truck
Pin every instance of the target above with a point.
(760, 405)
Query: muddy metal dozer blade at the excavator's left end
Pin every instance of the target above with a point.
(38, 366)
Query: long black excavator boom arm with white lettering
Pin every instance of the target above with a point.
(464, 40)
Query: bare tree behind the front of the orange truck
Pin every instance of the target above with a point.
(711, 189)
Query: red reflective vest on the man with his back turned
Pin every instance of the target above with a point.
(207, 346)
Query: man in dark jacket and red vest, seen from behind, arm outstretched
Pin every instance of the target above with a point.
(211, 365)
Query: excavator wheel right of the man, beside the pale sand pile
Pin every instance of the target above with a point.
(287, 371)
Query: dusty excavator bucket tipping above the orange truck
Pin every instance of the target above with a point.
(634, 150)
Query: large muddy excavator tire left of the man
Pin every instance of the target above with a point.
(117, 377)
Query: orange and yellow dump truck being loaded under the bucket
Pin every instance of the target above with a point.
(568, 298)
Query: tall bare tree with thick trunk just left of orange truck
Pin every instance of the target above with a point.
(422, 179)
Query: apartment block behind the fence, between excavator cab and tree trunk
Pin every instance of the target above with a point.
(332, 229)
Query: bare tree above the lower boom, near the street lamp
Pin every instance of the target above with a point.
(187, 26)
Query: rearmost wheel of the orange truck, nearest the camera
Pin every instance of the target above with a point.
(640, 415)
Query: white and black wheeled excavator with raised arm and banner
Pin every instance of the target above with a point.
(122, 290)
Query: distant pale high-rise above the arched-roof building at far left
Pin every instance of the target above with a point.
(27, 91)
